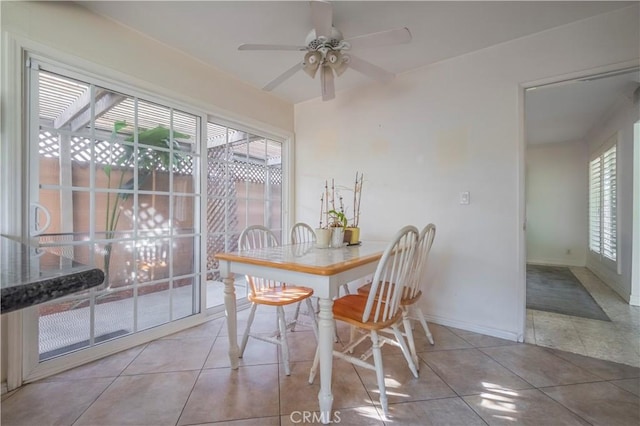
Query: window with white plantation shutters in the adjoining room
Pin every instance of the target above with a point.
(603, 204)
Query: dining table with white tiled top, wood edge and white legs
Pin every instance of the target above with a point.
(324, 270)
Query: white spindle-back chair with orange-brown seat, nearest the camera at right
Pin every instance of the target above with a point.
(379, 310)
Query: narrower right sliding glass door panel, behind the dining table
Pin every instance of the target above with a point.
(244, 187)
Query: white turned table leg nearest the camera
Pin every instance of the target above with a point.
(325, 349)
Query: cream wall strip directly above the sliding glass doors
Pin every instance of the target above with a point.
(102, 44)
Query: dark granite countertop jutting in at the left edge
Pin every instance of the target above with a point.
(29, 276)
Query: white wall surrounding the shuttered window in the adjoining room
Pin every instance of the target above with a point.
(621, 120)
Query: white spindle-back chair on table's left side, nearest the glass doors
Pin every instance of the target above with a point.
(271, 293)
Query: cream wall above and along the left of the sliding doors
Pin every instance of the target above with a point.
(70, 33)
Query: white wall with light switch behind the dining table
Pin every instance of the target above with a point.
(451, 127)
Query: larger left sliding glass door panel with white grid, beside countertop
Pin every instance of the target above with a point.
(114, 182)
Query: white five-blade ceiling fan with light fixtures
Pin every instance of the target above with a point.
(328, 52)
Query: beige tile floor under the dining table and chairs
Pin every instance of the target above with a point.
(465, 379)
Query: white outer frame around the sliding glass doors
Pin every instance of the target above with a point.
(22, 368)
